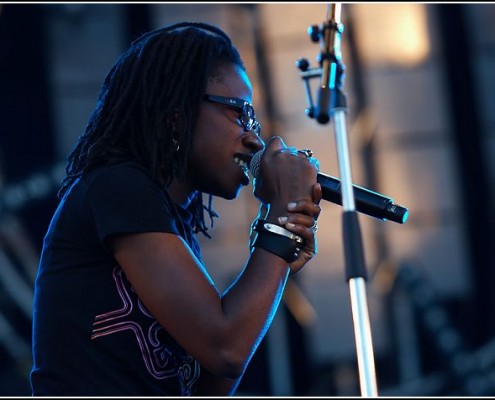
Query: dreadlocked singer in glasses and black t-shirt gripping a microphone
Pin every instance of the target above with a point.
(124, 305)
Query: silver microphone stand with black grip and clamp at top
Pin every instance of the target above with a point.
(332, 105)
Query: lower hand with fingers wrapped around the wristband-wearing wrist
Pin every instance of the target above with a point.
(301, 219)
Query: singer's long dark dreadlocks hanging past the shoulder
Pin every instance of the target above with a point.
(162, 74)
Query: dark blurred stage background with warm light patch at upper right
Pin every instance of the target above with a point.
(421, 92)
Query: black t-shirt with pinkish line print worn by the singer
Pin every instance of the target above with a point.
(91, 333)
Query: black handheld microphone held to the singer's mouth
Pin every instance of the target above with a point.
(366, 201)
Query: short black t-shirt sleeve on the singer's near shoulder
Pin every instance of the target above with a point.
(124, 199)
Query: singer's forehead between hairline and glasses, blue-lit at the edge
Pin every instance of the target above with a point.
(231, 81)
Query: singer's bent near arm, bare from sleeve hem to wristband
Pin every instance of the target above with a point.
(174, 286)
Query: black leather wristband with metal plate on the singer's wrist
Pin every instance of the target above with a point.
(284, 244)
